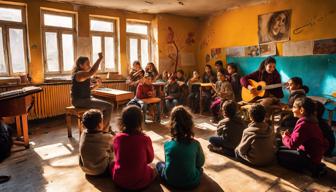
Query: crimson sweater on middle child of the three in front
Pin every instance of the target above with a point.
(132, 154)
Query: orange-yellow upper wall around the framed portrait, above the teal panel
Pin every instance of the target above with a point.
(239, 27)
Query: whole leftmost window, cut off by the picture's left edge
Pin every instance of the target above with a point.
(13, 40)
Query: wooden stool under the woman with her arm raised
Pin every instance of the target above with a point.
(78, 113)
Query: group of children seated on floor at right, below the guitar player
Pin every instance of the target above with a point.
(255, 144)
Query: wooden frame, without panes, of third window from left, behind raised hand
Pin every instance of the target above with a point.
(102, 35)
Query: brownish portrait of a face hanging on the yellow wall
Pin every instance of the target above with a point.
(274, 26)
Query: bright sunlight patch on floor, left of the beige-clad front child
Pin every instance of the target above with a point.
(51, 151)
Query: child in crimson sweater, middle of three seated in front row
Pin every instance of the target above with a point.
(133, 152)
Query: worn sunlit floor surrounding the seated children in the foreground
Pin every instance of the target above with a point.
(51, 164)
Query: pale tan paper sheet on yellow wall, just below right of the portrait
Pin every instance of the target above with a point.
(298, 48)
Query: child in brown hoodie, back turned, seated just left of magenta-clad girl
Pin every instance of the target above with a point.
(257, 144)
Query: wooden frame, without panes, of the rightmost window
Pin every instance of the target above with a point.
(138, 36)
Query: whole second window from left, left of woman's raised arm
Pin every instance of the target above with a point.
(58, 41)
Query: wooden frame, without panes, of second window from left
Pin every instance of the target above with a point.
(59, 31)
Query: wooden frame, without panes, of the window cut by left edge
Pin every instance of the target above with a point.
(5, 26)
